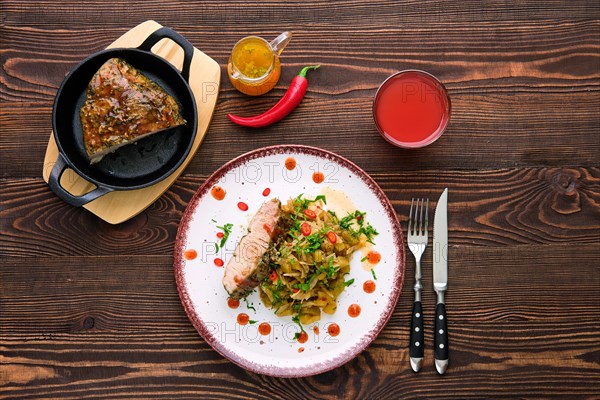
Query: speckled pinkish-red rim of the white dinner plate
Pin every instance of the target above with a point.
(198, 323)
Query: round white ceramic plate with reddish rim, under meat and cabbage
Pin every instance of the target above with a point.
(199, 281)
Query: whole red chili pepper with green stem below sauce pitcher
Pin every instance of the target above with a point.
(284, 106)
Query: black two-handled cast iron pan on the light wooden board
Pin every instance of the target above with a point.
(134, 166)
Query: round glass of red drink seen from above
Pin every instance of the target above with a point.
(411, 109)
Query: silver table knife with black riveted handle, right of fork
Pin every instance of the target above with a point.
(440, 281)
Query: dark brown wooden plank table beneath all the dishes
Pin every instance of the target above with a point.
(90, 310)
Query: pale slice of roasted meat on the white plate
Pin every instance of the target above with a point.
(250, 262)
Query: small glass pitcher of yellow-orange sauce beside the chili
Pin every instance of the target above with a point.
(253, 66)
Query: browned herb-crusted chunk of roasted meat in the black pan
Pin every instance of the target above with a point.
(122, 106)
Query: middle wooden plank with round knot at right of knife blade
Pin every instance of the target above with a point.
(487, 208)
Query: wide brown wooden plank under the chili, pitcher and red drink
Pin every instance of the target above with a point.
(514, 91)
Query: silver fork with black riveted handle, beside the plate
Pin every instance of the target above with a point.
(417, 242)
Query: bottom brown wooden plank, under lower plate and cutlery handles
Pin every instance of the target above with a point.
(137, 332)
